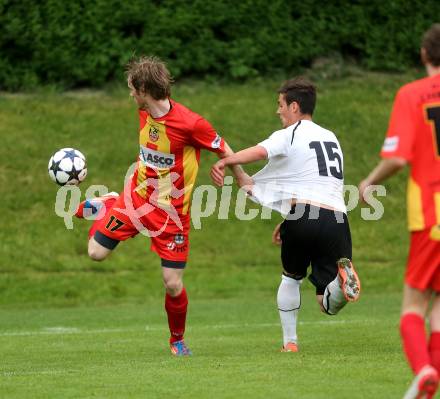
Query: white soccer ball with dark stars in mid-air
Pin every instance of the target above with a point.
(67, 166)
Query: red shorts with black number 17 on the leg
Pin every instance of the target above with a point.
(168, 230)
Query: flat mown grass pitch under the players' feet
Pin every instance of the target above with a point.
(120, 351)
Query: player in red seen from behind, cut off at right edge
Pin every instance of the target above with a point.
(413, 138)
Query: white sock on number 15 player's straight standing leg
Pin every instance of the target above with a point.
(289, 301)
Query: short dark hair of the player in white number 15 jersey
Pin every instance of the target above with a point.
(301, 91)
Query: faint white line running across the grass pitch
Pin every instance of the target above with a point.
(157, 327)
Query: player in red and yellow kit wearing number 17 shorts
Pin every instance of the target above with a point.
(156, 199)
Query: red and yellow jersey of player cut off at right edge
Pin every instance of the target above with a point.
(414, 134)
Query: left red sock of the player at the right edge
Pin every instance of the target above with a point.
(412, 331)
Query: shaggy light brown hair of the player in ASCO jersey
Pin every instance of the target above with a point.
(150, 75)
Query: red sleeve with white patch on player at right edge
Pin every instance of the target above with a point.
(401, 130)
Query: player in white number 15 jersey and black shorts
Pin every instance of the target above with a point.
(304, 181)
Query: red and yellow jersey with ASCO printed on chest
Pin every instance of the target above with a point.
(169, 154)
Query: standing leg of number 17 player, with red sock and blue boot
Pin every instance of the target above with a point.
(176, 305)
